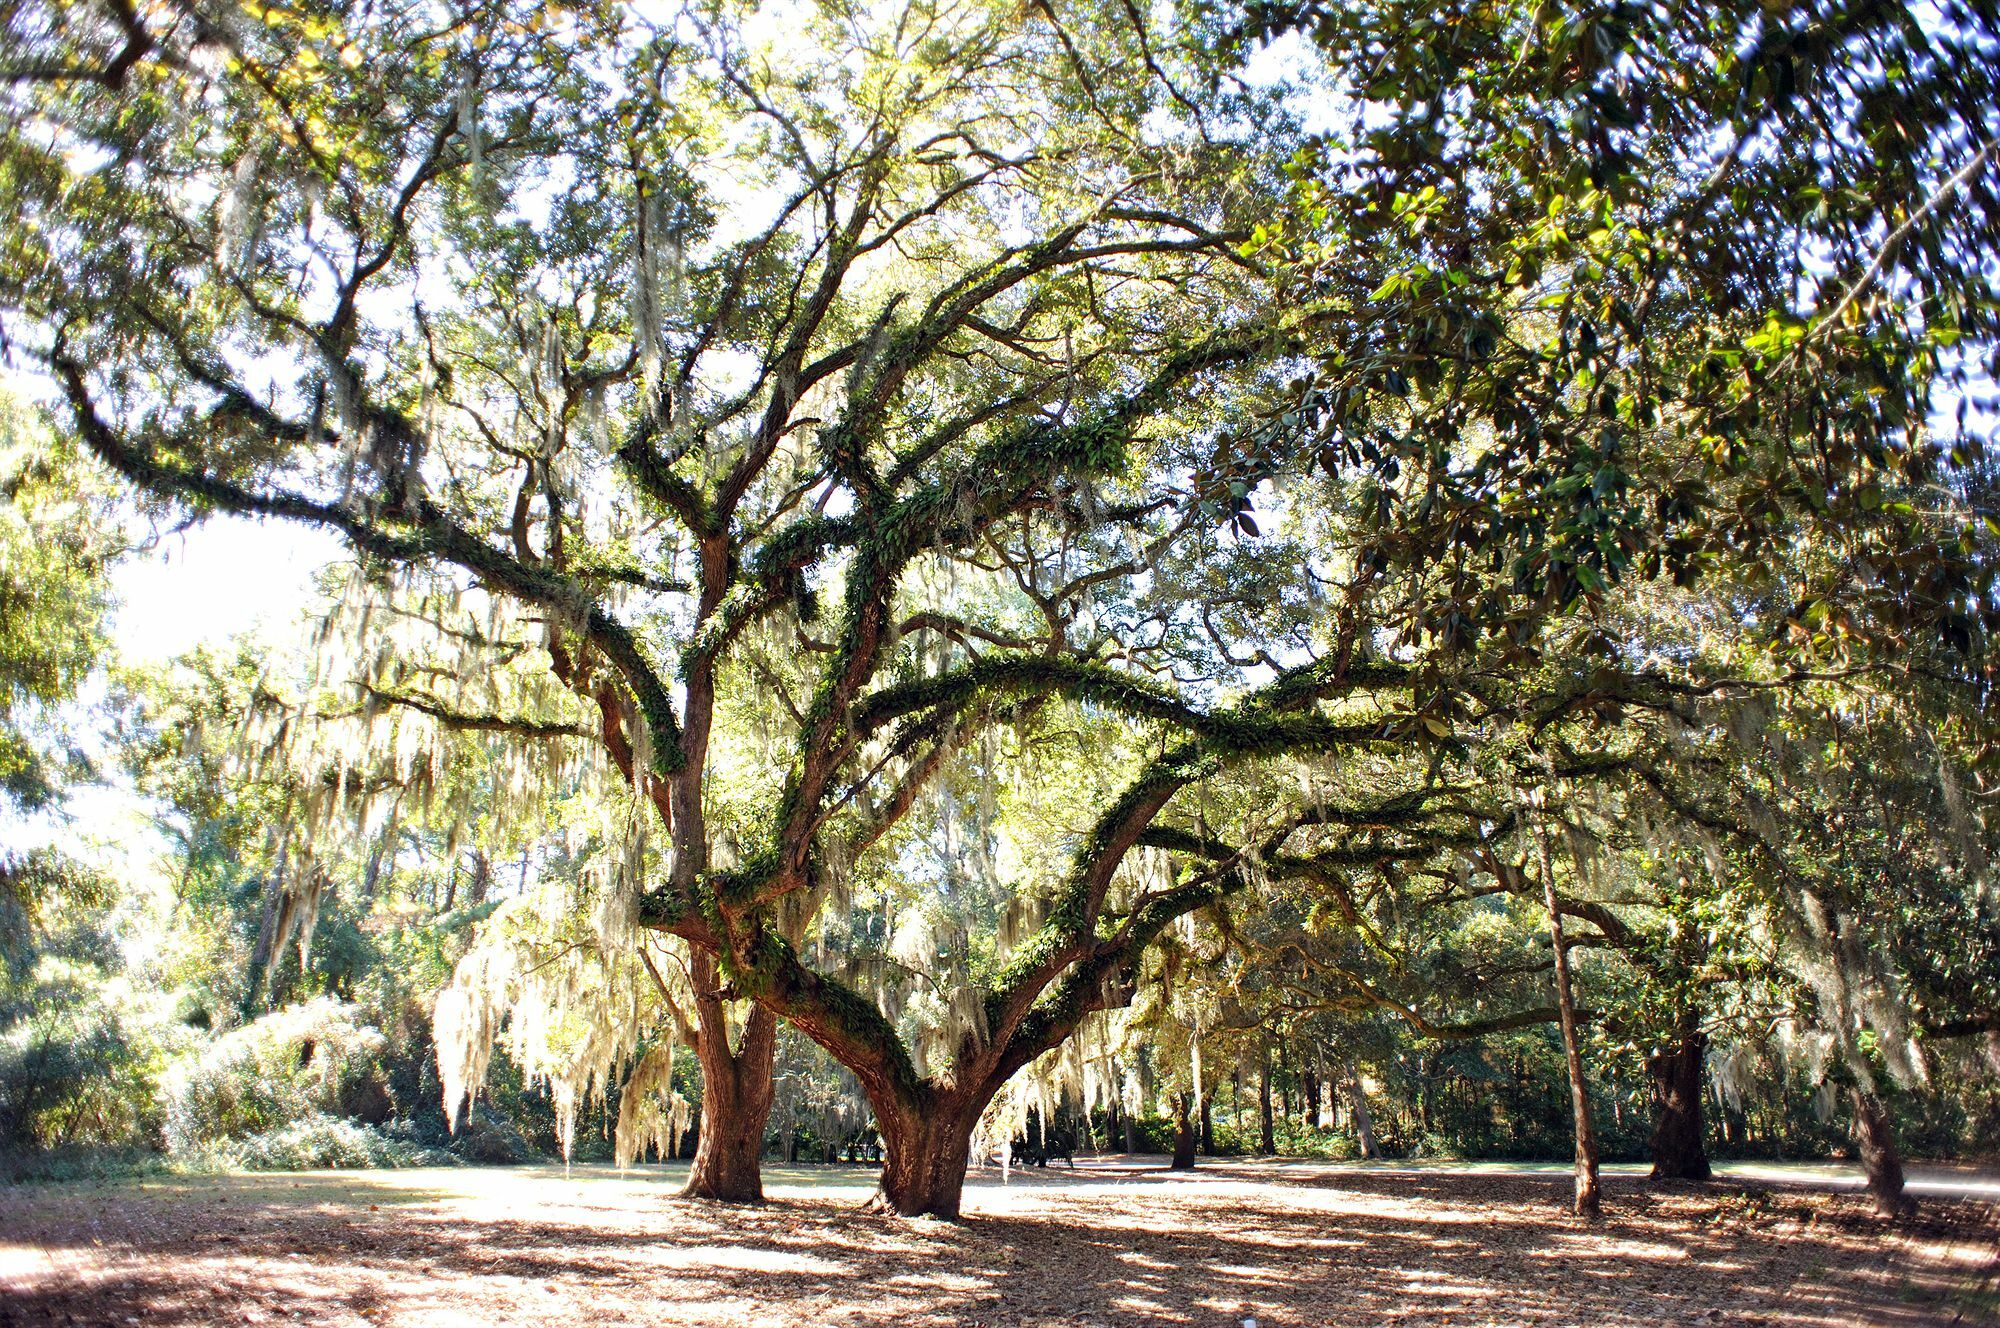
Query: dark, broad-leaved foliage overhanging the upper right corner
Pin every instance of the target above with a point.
(1567, 341)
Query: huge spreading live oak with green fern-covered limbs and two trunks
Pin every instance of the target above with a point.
(665, 333)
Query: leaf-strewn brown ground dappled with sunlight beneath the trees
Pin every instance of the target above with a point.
(1273, 1243)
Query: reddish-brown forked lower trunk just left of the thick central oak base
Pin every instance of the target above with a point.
(737, 1097)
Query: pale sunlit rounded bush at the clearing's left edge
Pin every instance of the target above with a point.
(285, 1069)
